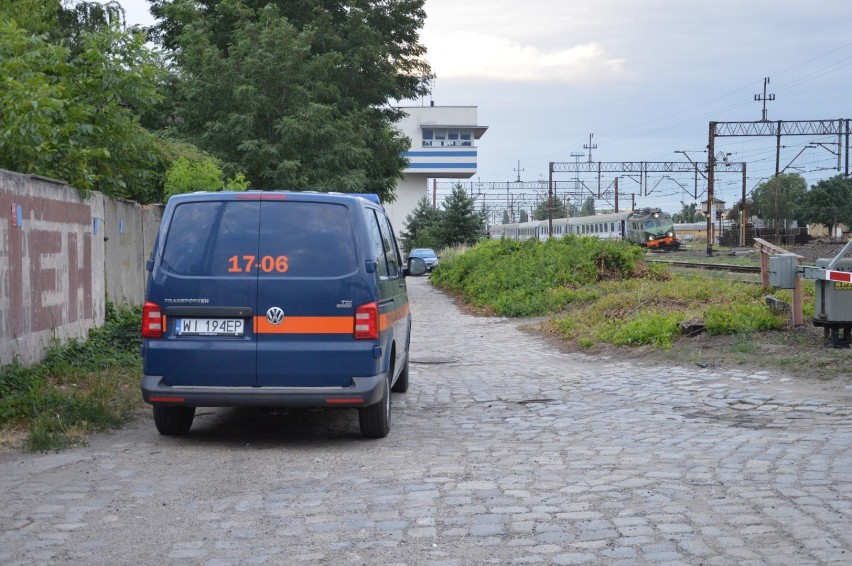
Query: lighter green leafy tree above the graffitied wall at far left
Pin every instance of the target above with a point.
(75, 117)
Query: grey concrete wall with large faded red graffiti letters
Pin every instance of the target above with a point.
(61, 256)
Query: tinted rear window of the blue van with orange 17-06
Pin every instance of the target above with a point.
(266, 238)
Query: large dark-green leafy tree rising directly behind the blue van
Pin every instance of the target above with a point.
(295, 93)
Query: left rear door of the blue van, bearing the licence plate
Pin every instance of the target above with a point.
(204, 279)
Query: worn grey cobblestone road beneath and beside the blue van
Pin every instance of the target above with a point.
(502, 452)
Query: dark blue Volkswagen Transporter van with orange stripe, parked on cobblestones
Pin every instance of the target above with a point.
(275, 299)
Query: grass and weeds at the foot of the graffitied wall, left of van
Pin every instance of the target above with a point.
(82, 387)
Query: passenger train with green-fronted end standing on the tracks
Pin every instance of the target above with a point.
(648, 227)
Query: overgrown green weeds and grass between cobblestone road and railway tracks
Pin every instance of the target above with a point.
(600, 292)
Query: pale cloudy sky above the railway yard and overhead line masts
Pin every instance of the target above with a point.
(644, 76)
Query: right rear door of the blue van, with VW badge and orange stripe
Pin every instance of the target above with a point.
(309, 285)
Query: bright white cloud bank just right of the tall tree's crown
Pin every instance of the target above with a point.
(474, 55)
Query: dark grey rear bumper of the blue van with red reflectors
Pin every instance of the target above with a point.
(363, 392)
